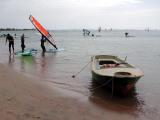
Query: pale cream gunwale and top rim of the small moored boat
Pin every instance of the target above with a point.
(128, 68)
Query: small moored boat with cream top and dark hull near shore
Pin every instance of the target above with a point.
(114, 73)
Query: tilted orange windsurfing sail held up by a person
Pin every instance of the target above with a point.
(42, 30)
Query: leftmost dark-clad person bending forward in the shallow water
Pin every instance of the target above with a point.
(10, 39)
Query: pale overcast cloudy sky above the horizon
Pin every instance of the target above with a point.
(78, 14)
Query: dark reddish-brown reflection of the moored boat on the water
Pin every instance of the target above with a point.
(131, 104)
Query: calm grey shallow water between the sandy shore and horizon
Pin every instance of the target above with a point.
(57, 69)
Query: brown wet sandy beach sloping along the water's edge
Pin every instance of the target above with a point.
(22, 98)
